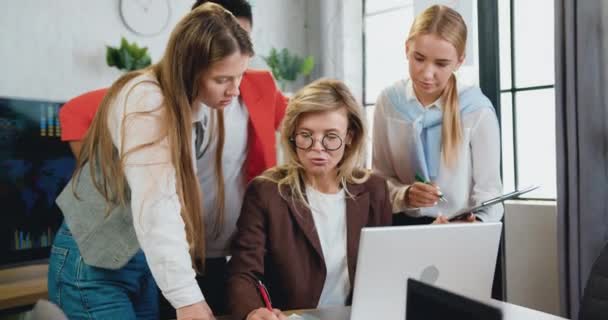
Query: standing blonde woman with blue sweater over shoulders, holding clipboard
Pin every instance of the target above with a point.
(436, 140)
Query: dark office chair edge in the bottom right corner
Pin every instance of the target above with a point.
(595, 298)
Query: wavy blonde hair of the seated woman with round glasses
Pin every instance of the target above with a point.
(320, 96)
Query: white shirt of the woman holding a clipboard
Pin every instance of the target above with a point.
(473, 178)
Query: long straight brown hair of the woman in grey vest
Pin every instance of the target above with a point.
(205, 36)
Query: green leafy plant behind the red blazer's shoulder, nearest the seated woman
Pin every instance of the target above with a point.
(286, 67)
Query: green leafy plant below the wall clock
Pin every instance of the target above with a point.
(128, 57)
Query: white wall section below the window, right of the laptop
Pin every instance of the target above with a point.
(531, 255)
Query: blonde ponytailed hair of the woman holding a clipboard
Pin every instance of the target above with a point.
(448, 25)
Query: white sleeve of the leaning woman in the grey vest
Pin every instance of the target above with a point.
(151, 177)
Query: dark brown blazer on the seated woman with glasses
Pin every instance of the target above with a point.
(276, 241)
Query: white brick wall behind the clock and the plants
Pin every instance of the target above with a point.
(55, 50)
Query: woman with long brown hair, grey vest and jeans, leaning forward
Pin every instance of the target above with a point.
(133, 210)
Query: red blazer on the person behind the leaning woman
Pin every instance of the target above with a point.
(265, 104)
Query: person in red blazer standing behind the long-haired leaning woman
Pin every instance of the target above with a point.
(242, 147)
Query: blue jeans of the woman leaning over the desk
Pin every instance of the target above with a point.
(86, 292)
